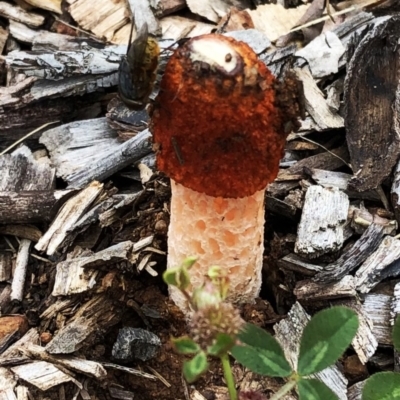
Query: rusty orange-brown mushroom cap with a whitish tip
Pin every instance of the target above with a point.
(216, 126)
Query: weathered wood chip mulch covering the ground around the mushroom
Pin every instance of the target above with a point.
(84, 212)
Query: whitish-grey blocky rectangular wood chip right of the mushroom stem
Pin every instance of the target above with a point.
(322, 222)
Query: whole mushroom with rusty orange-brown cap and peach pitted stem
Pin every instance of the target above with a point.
(219, 135)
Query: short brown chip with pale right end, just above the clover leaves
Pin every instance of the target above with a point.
(313, 291)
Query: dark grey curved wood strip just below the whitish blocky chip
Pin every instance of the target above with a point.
(352, 258)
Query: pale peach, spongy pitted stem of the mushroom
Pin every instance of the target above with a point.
(219, 231)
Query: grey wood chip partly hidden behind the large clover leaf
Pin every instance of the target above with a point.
(288, 333)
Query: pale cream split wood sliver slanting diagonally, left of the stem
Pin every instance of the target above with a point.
(69, 214)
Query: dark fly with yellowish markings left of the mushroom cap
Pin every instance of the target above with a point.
(137, 70)
